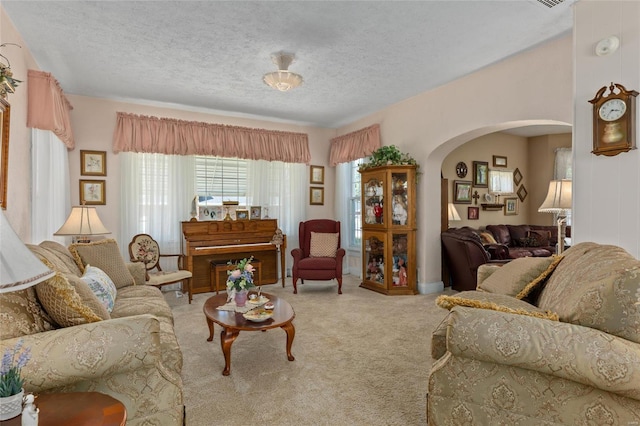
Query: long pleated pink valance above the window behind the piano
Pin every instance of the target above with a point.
(138, 133)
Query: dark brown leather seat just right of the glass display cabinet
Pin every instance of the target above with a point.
(464, 252)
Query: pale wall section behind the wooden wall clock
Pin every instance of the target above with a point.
(606, 198)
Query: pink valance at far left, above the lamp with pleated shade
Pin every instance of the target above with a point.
(48, 108)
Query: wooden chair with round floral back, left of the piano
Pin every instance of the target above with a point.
(143, 248)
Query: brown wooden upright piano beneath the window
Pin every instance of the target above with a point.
(223, 241)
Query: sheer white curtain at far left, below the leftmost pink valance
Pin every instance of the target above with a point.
(50, 192)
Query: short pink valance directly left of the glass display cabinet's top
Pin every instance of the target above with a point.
(354, 145)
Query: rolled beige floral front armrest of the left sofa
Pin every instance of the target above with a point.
(97, 350)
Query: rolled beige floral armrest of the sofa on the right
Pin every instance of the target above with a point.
(580, 354)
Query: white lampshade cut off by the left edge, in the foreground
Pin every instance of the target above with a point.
(19, 267)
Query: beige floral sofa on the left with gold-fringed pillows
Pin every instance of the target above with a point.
(130, 353)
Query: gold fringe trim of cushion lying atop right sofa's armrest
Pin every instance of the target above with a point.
(494, 302)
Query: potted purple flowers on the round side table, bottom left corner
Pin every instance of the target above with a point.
(11, 381)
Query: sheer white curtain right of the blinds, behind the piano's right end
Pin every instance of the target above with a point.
(281, 188)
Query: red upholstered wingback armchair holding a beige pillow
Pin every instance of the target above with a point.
(319, 256)
